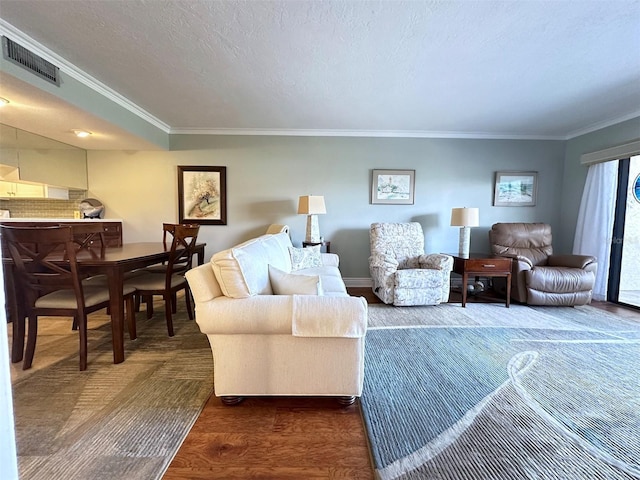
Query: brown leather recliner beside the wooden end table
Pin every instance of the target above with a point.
(539, 277)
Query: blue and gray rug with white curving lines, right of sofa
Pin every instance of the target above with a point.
(496, 394)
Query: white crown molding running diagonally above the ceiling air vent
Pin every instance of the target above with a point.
(74, 72)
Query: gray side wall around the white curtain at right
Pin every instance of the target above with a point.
(575, 174)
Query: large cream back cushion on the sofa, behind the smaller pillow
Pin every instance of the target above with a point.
(243, 271)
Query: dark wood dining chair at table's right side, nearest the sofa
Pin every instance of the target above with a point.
(151, 284)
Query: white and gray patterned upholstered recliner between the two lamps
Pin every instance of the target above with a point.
(402, 274)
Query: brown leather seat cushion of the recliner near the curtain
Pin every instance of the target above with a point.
(559, 280)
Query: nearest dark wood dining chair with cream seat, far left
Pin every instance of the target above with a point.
(49, 281)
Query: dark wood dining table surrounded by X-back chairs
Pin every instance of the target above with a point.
(114, 263)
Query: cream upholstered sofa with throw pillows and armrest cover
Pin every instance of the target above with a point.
(270, 331)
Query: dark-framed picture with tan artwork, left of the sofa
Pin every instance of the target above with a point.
(202, 195)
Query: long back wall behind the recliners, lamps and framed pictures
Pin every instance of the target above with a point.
(265, 176)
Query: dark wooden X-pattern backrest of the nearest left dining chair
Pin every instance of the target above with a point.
(44, 259)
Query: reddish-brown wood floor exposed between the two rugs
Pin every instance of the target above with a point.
(287, 438)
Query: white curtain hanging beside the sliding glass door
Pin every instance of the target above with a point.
(595, 220)
